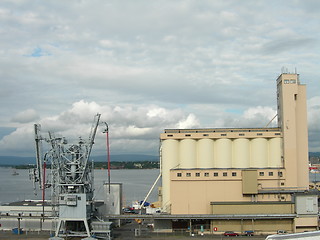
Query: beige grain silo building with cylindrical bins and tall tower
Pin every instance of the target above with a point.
(242, 179)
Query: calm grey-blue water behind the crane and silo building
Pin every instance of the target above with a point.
(136, 184)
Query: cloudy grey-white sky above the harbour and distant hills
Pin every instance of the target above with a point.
(150, 65)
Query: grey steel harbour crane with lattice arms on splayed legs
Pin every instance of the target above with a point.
(71, 180)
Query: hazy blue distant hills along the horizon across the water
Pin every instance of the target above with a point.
(13, 160)
